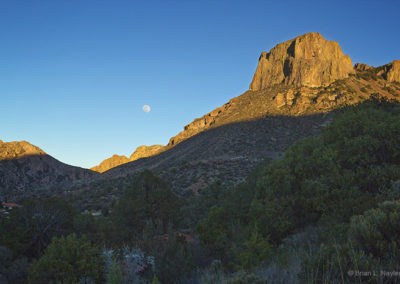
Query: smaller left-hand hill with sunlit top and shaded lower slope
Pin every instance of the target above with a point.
(26, 169)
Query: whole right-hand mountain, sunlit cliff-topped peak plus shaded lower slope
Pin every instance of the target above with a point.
(226, 143)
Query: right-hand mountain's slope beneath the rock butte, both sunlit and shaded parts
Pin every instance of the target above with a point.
(251, 127)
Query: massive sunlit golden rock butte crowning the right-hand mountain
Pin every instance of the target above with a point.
(308, 60)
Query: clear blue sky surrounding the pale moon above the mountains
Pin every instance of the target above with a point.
(75, 74)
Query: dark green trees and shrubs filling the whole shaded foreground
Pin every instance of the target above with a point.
(328, 210)
